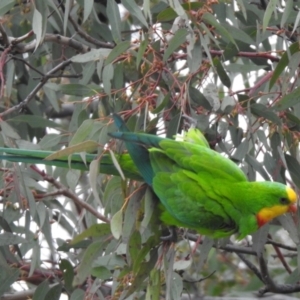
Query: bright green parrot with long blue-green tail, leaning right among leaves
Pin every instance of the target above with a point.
(197, 187)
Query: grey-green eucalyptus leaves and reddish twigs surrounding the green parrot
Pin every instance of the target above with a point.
(65, 66)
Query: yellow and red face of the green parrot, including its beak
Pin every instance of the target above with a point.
(286, 202)
